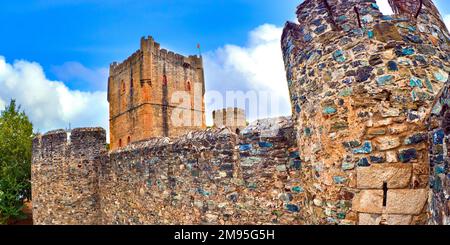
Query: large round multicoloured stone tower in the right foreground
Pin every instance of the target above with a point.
(363, 87)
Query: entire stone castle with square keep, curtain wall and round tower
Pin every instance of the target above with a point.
(367, 143)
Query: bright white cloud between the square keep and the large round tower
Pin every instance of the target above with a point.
(257, 66)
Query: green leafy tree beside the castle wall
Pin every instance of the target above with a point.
(16, 134)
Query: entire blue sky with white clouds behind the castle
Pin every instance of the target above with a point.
(55, 54)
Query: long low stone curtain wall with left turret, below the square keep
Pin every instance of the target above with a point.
(204, 177)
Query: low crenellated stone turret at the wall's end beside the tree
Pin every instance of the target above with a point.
(65, 175)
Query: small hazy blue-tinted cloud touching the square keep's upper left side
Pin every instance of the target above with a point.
(81, 76)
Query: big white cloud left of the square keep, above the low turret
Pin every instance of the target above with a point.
(50, 104)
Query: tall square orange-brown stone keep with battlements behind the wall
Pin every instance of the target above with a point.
(155, 93)
